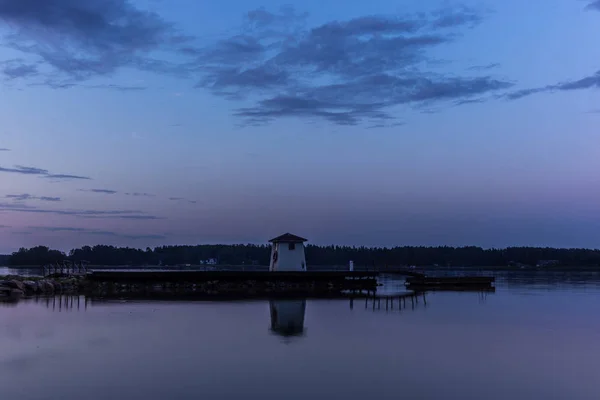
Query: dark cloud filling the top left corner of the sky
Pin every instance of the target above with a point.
(82, 39)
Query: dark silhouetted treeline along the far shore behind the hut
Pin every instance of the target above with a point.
(315, 255)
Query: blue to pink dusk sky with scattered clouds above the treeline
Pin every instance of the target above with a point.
(381, 123)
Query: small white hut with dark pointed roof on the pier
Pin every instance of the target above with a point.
(287, 253)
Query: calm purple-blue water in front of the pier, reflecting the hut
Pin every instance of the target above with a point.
(537, 337)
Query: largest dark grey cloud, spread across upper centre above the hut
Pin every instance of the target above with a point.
(345, 72)
